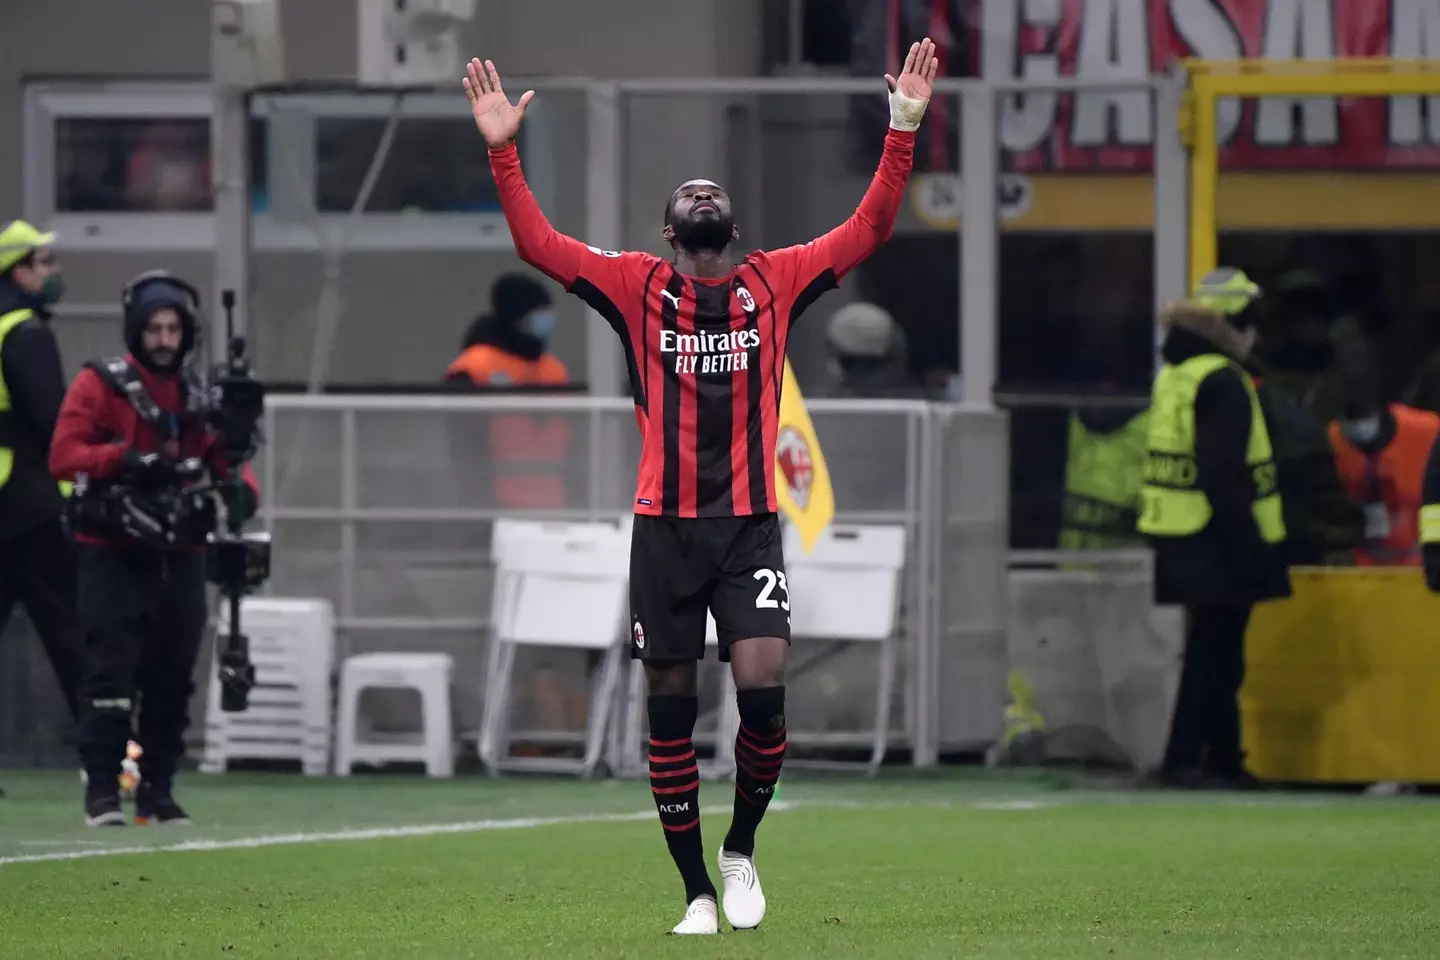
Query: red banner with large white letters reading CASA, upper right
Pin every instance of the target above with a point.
(1137, 38)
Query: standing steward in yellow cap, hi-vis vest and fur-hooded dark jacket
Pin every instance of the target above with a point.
(1212, 510)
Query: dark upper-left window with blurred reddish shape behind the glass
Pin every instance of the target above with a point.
(132, 165)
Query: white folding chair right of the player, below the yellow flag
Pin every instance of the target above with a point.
(849, 589)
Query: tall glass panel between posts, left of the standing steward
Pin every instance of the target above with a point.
(1076, 316)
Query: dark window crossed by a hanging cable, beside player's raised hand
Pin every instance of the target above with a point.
(434, 166)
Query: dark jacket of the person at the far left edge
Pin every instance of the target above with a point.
(31, 362)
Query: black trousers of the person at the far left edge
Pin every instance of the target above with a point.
(38, 572)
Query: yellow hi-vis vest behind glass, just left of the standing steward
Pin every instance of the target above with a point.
(1104, 486)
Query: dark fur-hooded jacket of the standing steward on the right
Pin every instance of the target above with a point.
(1228, 562)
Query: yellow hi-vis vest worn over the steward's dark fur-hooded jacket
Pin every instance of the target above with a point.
(1173, 504)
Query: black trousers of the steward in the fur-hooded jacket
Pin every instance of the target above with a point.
(1206, 730)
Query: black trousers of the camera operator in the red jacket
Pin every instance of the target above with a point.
(145, 615)
